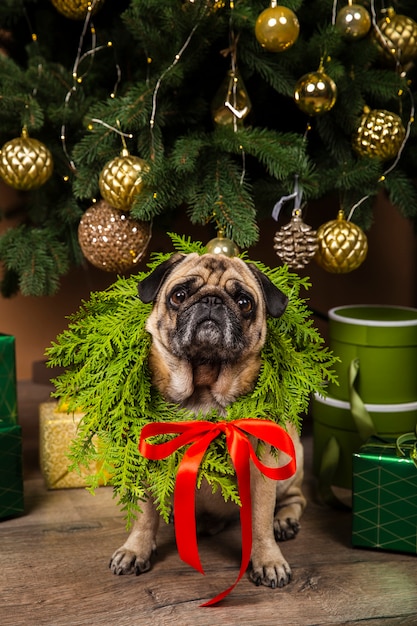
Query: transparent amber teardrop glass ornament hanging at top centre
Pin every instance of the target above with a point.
(231, 104)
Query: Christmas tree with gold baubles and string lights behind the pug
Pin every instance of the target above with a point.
(115, 116)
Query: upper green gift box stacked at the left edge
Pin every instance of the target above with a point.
(8, 397)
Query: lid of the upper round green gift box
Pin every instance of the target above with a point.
(374, 325)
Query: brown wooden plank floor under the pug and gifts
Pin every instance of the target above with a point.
(53, 565)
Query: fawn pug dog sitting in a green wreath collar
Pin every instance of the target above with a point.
(208, 327)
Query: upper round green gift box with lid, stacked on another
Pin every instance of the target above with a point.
(383, 339)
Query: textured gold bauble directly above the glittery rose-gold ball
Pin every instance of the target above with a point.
(121, 180)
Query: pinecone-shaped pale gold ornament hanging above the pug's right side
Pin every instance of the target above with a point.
(296, 242)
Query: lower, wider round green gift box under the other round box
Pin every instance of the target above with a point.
(332, 419)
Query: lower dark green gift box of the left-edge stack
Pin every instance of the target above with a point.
(11, 472)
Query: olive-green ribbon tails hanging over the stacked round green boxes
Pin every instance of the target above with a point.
(331, 455)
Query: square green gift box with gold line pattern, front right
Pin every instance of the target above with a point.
(385, 496)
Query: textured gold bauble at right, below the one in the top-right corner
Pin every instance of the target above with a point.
(380, 134)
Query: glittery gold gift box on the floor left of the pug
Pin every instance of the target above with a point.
(57, 429)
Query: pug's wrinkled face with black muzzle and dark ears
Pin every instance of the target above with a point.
(210, 308)
